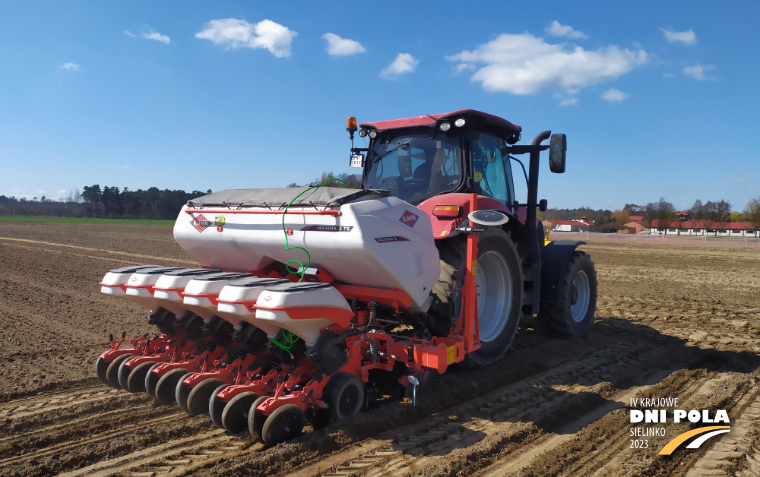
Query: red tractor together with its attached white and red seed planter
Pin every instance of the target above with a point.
(313, 301)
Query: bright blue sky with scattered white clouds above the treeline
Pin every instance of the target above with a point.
(658, 99)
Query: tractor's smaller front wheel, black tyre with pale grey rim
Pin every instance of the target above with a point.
(573, 314)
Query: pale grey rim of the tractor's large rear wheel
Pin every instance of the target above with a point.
(494, 290)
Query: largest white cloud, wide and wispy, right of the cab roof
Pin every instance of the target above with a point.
(523, 64)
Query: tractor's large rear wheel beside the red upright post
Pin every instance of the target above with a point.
(499, 260)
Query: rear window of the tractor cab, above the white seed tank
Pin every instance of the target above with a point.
(415, 167)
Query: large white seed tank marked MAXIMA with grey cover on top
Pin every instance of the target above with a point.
(359, 237)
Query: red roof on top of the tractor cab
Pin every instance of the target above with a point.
(474, 119)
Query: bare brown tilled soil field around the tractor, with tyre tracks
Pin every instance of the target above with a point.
(673, 322)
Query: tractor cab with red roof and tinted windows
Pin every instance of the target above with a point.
(422, 157)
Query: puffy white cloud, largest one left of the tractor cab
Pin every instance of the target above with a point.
(234, 33)
